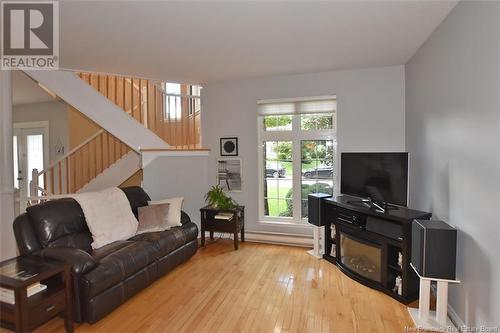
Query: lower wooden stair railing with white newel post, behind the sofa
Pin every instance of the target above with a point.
(79, 166)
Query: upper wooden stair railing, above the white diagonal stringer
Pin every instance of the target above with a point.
(148, 103)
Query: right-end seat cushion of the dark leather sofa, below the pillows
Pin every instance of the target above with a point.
(169, 240)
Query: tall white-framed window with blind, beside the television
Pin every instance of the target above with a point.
(297, 155)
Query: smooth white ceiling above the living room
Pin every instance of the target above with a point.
(202, 42)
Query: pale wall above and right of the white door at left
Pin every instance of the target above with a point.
(56, 113)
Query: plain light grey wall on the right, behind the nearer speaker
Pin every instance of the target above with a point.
(452, 133)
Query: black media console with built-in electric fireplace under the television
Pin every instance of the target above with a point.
(371, 246)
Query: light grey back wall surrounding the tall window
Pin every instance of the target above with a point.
(370, 118)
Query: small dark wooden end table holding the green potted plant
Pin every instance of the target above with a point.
(210, 223)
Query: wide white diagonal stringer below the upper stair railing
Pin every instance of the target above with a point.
(77, 93)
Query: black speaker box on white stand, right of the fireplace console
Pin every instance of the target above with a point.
(434, 249)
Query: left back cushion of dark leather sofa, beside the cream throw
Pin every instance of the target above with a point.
(60, 223)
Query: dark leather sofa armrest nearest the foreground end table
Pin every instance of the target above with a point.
(80, 261)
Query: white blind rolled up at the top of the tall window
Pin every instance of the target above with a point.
(324, 104)
